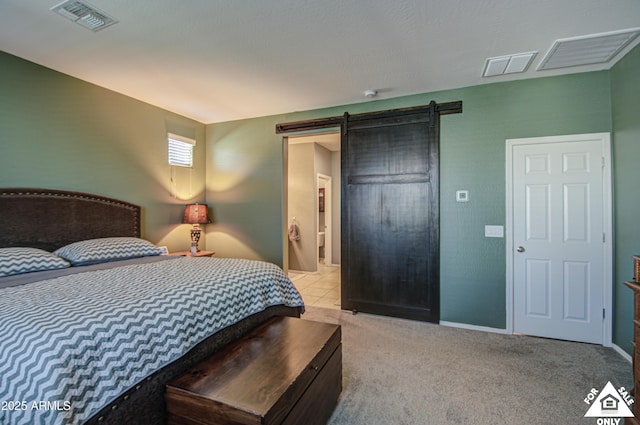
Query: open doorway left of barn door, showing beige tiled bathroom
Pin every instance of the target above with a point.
(312, 213)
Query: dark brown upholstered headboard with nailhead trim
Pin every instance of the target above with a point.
(48, 218)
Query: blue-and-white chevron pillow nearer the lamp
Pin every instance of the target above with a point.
(93, 251)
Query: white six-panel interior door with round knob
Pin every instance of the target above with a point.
(559, 237)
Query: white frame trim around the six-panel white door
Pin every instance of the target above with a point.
(605, 140)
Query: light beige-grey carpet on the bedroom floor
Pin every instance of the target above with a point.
(399, 371)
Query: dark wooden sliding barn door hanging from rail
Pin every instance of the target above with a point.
(390, 213)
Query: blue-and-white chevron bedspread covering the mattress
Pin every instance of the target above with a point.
(71, 345)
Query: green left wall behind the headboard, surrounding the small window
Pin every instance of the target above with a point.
(60, 132)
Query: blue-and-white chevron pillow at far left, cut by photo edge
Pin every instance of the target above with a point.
(25, 260)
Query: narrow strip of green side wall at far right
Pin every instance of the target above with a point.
(625, 95)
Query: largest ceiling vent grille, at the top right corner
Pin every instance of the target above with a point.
(587, 50)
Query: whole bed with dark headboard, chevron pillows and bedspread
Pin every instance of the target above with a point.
(97, 340)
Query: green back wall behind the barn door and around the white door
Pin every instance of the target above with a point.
(249, 202)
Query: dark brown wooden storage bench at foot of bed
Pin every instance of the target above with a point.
(287, 371)
